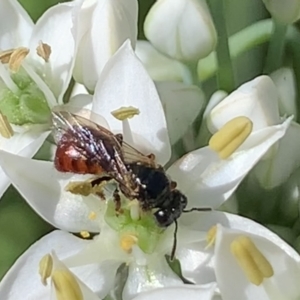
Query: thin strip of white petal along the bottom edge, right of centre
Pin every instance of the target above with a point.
(204, 292)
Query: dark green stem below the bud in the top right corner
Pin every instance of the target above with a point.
(276, 48)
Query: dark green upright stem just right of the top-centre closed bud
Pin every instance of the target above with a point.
(225, 75)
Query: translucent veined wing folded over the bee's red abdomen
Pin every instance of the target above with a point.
(94, 143)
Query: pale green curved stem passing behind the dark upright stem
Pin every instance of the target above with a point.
(244, 40)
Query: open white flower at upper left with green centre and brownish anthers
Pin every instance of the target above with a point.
(29, 88)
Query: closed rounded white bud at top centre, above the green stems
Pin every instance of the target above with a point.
(188, 35)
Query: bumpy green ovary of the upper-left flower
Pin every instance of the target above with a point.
(27, 106)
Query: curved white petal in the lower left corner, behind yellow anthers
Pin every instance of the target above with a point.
(23, 278)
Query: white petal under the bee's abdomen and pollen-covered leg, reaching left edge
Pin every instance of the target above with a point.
(43, 188)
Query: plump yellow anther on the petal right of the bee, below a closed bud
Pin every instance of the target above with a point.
(231, 136)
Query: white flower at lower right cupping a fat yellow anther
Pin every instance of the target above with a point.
(235, 240)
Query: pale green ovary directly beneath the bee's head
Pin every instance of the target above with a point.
(145, 229)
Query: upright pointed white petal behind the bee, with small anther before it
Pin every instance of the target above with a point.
(125, 82)
